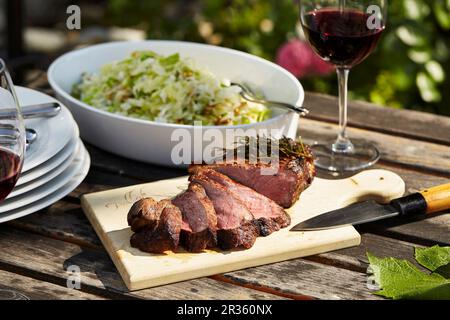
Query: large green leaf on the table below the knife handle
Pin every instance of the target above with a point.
(399, 279)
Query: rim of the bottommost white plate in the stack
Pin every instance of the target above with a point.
(50, 198)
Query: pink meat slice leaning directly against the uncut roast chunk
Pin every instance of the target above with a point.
(269, 216)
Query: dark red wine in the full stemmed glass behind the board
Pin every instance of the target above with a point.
(341, 37)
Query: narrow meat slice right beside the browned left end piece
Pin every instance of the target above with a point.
(198, 230)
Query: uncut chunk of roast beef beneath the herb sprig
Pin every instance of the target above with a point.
(283, 187)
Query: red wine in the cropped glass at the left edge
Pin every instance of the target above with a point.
(10, 166)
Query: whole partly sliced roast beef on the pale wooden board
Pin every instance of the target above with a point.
(226, 204)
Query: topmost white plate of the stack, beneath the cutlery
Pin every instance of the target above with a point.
(53, 133)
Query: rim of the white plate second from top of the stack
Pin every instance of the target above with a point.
(49, 165)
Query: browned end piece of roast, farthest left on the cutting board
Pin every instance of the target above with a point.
(162, 231)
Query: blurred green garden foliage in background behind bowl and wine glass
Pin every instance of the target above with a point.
(409, 69)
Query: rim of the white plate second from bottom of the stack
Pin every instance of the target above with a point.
(41, 192)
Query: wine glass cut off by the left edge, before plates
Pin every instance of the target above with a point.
(12, 134)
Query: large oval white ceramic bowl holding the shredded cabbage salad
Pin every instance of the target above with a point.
(151, 141)
